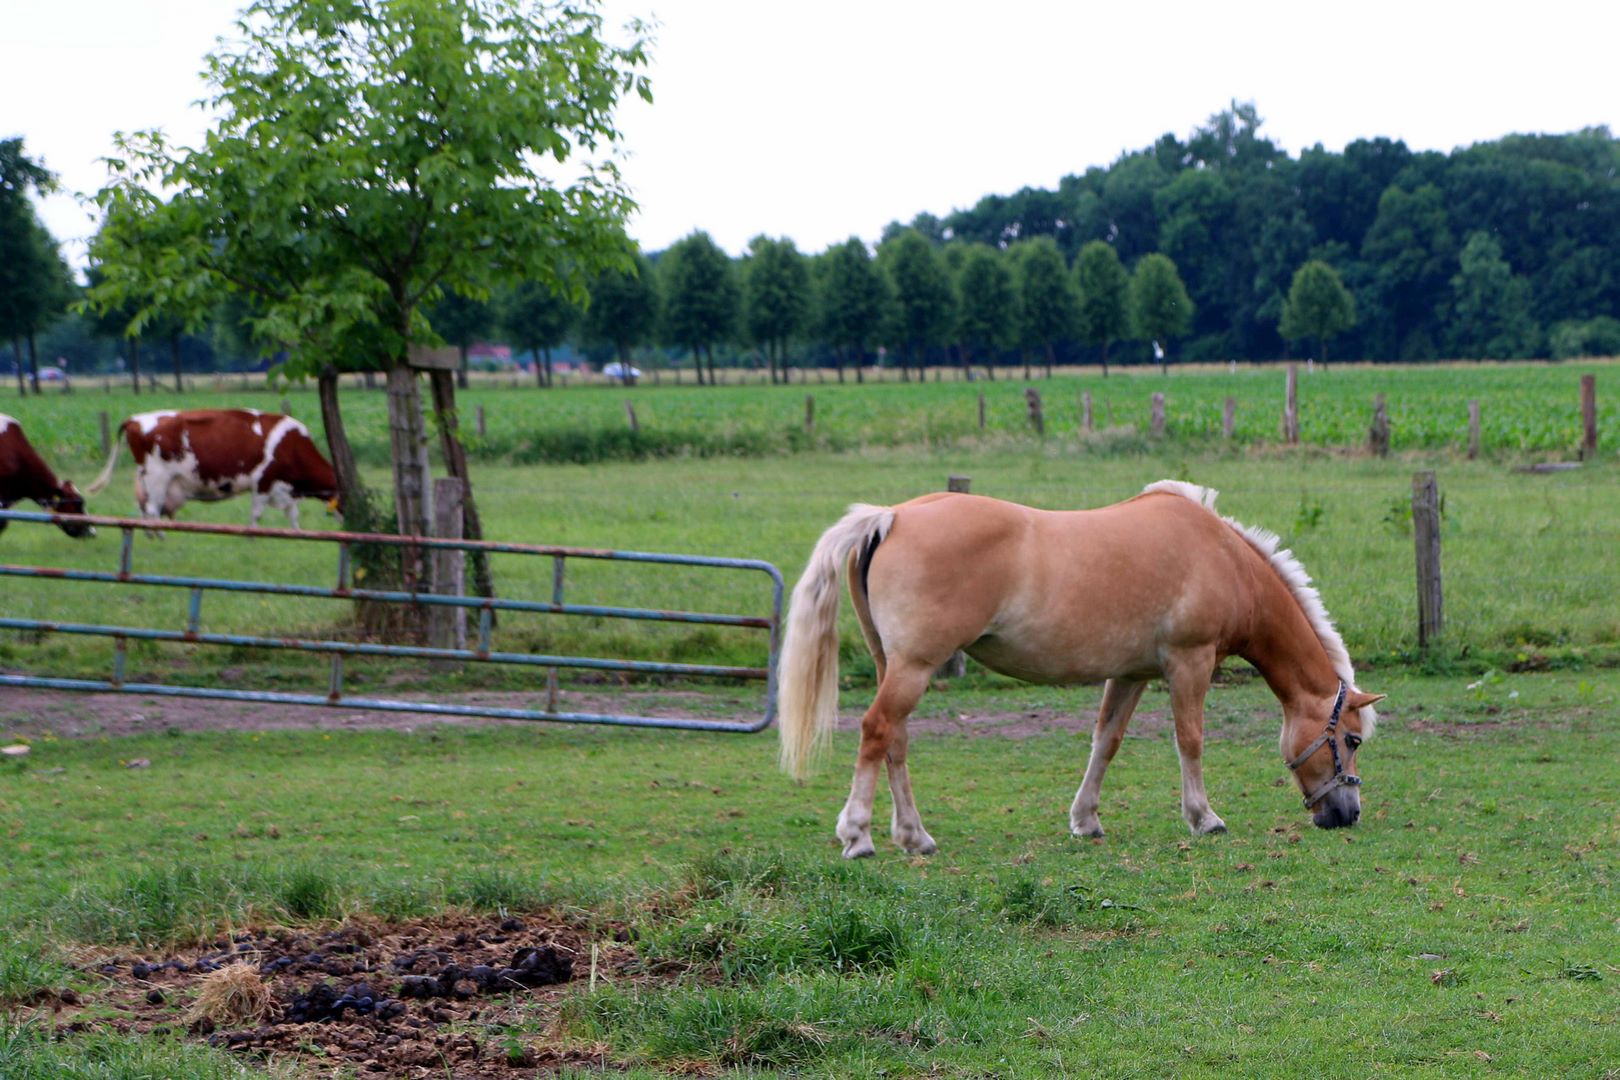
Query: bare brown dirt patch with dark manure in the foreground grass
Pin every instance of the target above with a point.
(433, 998)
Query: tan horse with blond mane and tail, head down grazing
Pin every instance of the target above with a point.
(1154, 587)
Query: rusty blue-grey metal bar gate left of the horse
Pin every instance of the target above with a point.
(346, 590)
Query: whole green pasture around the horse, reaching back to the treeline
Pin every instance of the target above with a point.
(1464, 929)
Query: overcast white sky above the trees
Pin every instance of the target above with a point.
(821, 121)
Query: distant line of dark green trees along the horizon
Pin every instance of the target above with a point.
(1217, 247)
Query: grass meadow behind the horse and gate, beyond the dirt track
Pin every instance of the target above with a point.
(1527, 558)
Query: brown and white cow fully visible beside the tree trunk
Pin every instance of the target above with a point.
(220, 453)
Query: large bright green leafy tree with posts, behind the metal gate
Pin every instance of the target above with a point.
(365, 156)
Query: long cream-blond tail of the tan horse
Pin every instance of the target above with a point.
(808, 674)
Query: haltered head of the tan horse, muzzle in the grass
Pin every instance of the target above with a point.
(1321, 744)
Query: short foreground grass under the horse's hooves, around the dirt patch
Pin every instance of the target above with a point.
(1465, 927)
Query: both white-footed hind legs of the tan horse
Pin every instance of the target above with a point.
(884, 741)
